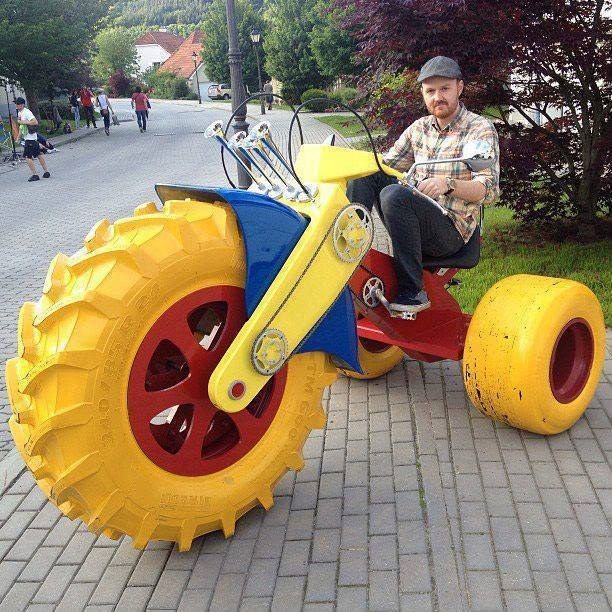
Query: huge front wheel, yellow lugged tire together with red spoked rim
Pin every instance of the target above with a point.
(109, 391)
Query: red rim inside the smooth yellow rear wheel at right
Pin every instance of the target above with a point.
(571, 361)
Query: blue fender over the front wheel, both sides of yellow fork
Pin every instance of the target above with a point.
(270, 231)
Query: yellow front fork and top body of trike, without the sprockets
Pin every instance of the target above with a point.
(308, 283)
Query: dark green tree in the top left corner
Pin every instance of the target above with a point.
(44, 44)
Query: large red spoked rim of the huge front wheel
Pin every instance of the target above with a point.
(172, 418)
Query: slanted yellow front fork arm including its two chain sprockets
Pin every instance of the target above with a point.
(306, 287)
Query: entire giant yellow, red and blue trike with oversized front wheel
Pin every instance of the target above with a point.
(173, 368)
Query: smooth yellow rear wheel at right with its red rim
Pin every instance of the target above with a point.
(534, 352)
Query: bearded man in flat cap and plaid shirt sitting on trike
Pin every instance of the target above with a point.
(417, 227)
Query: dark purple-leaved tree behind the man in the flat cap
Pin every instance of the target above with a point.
(528, 57)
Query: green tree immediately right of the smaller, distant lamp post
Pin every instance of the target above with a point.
(289, 57)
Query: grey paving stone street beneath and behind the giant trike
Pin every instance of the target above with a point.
(409, 499)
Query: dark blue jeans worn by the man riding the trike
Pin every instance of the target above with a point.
(416, 226)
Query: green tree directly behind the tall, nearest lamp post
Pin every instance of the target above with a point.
(216, 44)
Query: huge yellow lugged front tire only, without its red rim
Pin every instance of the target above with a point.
(68, 386)
